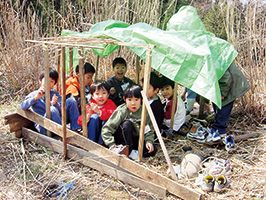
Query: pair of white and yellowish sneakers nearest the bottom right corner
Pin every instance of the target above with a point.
(218, 184)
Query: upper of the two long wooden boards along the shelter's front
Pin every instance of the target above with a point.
(118, 160)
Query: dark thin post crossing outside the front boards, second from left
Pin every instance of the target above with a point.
(63, 106)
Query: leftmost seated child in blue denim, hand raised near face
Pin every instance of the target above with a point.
(36, 102)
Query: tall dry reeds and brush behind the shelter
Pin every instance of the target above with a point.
(242, 24)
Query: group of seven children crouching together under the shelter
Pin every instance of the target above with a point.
(113, 110)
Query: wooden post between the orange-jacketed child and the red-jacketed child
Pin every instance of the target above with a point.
(82, 96)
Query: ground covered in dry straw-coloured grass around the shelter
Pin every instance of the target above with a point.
(30, 171)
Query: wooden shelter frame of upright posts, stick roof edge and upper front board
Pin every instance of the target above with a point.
(70, 136)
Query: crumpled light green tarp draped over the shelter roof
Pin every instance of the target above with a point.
(185, 52)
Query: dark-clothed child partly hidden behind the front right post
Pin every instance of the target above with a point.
(154, 100)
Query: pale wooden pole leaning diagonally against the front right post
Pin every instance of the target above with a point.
(157, 131)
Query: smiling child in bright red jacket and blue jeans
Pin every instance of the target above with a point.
(98, 111)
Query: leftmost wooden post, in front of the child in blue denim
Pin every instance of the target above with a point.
(47, 88)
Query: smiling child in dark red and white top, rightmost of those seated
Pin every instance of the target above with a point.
(180, 111)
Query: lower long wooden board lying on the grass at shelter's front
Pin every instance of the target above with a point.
(94, 162)
